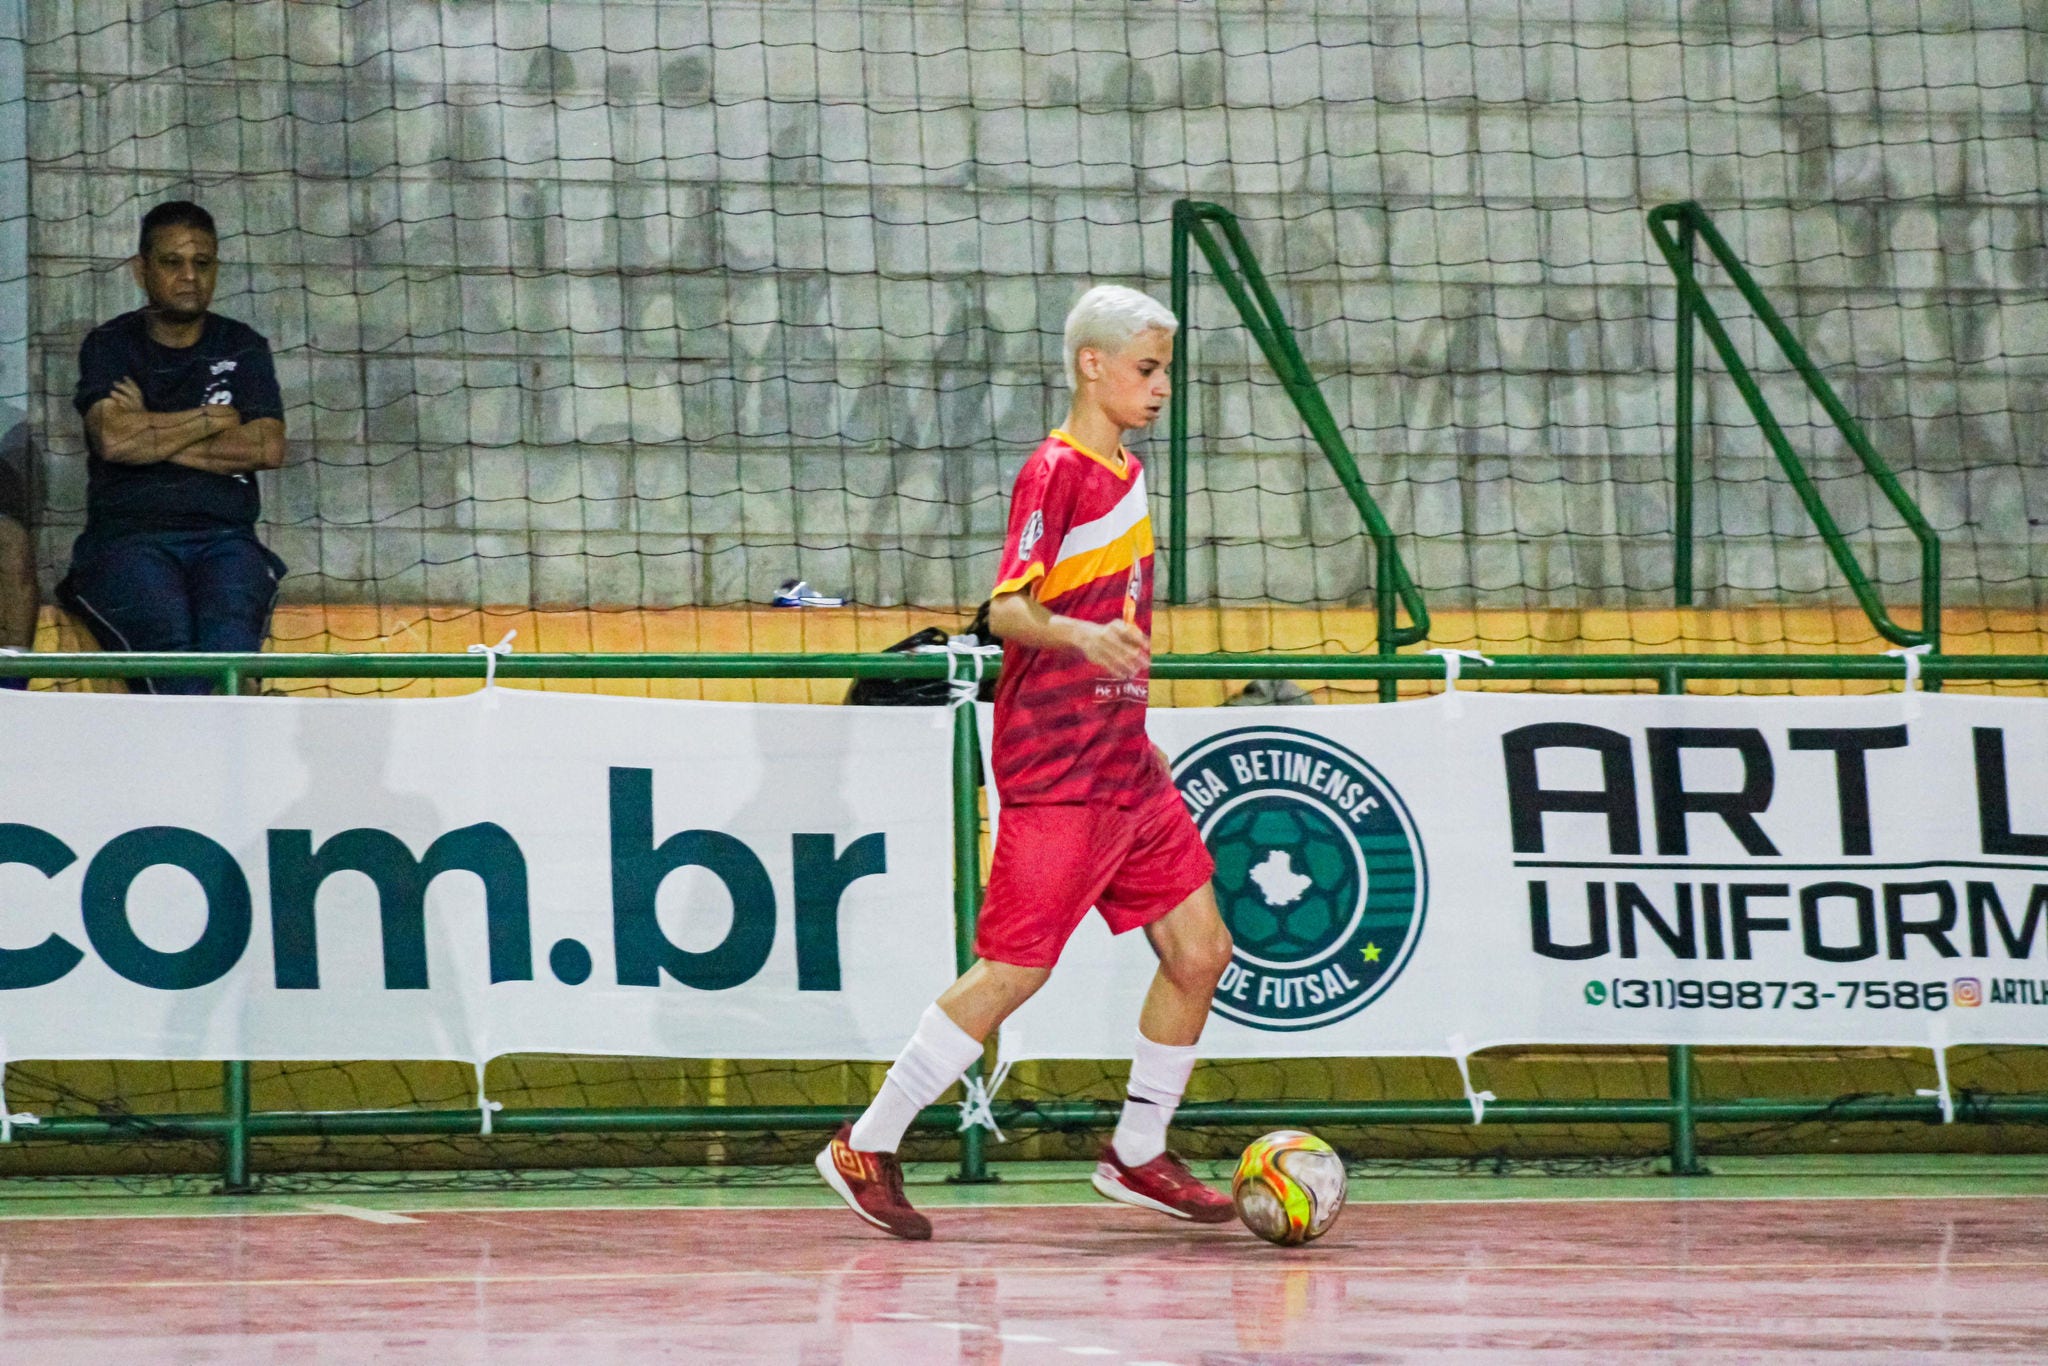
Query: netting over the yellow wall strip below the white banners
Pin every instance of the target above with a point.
(146, 1097)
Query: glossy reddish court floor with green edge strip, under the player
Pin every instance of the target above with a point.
(1879, 1269)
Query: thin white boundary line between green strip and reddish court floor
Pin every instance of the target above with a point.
(425, 1211)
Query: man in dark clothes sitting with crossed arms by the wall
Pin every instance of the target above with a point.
(181, 411)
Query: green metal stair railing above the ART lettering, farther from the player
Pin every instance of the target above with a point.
(1693, 226)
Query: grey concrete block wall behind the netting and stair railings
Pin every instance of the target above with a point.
(640, 304)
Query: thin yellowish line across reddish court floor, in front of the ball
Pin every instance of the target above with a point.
(1385, 1269)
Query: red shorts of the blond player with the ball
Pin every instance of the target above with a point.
(1054, 863)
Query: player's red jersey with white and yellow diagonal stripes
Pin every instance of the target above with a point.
(1066, 732)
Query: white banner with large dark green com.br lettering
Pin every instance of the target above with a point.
(458, 880)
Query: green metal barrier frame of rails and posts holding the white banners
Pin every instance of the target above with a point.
(234, 1125)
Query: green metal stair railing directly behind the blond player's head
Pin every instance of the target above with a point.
(1230, 257)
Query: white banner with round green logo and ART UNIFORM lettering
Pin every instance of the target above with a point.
(1508, 869)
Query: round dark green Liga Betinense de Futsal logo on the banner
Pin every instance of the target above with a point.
(1320, 873)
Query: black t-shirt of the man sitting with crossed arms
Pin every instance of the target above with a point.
(230, 364)
